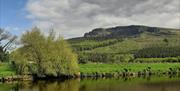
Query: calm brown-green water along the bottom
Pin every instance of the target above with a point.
(111, 84)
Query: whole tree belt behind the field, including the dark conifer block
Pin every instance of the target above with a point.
(145, 55)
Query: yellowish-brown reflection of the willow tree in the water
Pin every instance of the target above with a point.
(68, 85)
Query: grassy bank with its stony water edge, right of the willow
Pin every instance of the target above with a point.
(130, 69)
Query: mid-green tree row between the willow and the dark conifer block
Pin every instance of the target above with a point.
(104, 57)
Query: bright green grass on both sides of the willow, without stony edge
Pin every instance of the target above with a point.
(7, 70)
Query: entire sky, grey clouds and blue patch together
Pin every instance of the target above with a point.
(72, 18)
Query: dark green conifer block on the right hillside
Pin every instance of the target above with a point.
(158, 52)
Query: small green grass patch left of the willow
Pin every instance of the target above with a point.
(6, 70)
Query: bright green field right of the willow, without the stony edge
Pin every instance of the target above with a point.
(135, 67)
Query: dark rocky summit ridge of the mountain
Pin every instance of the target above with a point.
(127, 31)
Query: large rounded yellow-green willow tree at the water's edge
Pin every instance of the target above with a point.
(45, 55)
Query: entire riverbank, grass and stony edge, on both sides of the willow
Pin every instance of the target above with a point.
(104, 70)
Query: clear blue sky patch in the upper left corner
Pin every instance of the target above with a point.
(13, 16)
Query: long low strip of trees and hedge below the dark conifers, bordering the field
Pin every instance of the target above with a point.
(121, 58)
